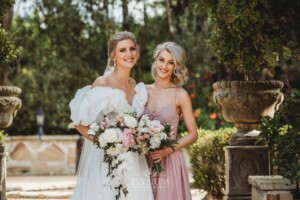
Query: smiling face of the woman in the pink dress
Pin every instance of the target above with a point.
(165, 65)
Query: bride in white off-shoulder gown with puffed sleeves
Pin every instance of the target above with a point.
(113, 93)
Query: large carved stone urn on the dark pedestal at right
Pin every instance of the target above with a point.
(244, 103)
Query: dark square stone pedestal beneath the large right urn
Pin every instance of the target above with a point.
(240, 162)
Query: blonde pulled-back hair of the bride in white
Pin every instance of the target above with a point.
(112, 44)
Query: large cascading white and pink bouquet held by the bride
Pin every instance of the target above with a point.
(116, 137)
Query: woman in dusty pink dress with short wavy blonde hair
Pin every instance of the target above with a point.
(169, 72)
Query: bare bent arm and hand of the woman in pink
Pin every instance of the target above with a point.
(185, 105)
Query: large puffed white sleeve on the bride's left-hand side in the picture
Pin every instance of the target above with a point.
(90, 104)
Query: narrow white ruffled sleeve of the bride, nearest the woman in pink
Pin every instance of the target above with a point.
(140, 99)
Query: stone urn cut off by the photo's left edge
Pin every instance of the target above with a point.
(9, 104)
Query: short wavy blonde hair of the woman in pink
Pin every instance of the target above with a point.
(179, 76)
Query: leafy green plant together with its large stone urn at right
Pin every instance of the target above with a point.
(252, 37)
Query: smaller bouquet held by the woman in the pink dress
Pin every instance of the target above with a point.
(154, 135)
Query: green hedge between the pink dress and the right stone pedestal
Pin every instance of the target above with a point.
(208, 159)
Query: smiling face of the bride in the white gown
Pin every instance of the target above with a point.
(126, 54)
